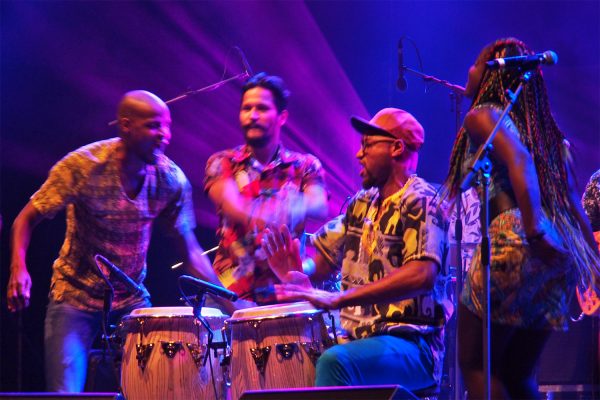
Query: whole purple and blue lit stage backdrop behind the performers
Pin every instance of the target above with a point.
(65, 65)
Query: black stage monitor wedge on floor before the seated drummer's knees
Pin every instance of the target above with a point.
(378, 392)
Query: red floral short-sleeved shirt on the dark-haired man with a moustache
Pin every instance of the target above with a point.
(240, 263)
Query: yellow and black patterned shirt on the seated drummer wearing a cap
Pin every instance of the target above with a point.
(371, 245)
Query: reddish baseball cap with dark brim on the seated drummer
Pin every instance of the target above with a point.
(394, 123)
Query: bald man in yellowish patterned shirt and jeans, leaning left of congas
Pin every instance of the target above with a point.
(113, 191)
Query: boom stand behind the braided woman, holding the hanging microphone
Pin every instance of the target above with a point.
(456, 95)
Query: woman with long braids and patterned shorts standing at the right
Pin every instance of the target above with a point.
(541, 242)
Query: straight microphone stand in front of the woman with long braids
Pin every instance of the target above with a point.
(480, 175)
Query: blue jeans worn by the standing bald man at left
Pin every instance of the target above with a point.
(68, 336)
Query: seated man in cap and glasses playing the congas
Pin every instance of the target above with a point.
(391, 244)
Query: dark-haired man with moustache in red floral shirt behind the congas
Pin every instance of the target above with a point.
(259, 184)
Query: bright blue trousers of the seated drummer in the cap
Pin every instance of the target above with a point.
(378, 360)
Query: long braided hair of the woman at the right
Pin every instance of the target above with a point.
(541, 136)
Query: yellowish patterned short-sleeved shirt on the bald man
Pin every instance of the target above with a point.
(102, 219)
